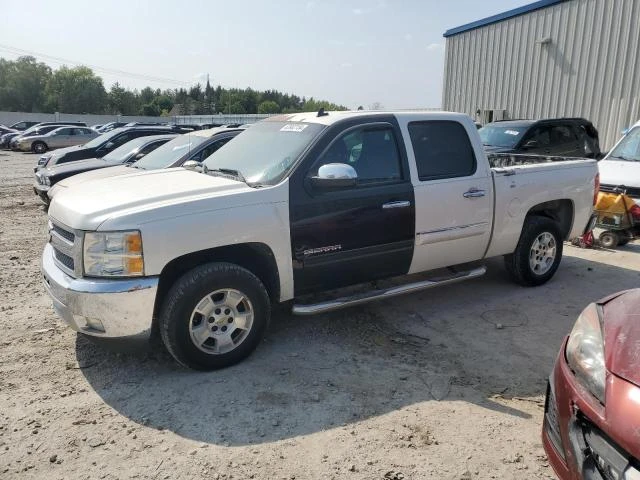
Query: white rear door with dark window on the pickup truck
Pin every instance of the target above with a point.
(454, 195)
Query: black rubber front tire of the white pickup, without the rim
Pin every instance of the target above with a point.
(188, 291)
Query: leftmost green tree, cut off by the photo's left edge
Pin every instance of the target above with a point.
(22, 84)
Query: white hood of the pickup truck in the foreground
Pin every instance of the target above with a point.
(89, 204)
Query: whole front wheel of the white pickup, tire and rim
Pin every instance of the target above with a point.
(214, 316)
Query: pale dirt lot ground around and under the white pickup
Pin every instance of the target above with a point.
(422, 386)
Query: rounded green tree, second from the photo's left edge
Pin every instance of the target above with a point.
(76, 90)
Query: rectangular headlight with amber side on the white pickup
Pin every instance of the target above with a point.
(113, 254)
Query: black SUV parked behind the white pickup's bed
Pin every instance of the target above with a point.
(565, 137)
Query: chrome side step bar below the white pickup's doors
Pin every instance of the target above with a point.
(344, 302)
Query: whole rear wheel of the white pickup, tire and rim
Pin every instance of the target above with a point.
(538, 253)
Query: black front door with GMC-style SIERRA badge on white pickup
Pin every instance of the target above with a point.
(359, 233)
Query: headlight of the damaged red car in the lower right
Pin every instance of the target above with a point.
(585, 352)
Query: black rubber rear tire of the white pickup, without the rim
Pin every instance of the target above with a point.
(517, 263)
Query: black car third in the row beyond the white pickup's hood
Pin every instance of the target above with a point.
(100, 146)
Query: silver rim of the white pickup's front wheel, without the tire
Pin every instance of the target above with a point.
(221, 321)
